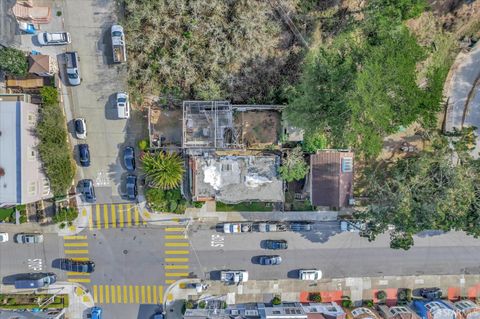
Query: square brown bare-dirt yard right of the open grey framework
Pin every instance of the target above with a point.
(259, 128)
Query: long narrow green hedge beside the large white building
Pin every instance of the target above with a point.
(53, 147)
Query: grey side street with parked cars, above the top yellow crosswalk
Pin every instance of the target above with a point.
(89, 22)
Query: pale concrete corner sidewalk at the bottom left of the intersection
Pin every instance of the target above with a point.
(80, 299)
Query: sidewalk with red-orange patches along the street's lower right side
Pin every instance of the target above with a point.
(358, 289)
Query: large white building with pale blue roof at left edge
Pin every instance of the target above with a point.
(21, 176)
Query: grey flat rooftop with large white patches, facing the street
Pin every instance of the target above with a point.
(234, 179)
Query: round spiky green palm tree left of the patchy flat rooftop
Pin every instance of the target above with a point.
(163, 170)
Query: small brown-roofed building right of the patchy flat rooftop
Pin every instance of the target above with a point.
(331, 178)
